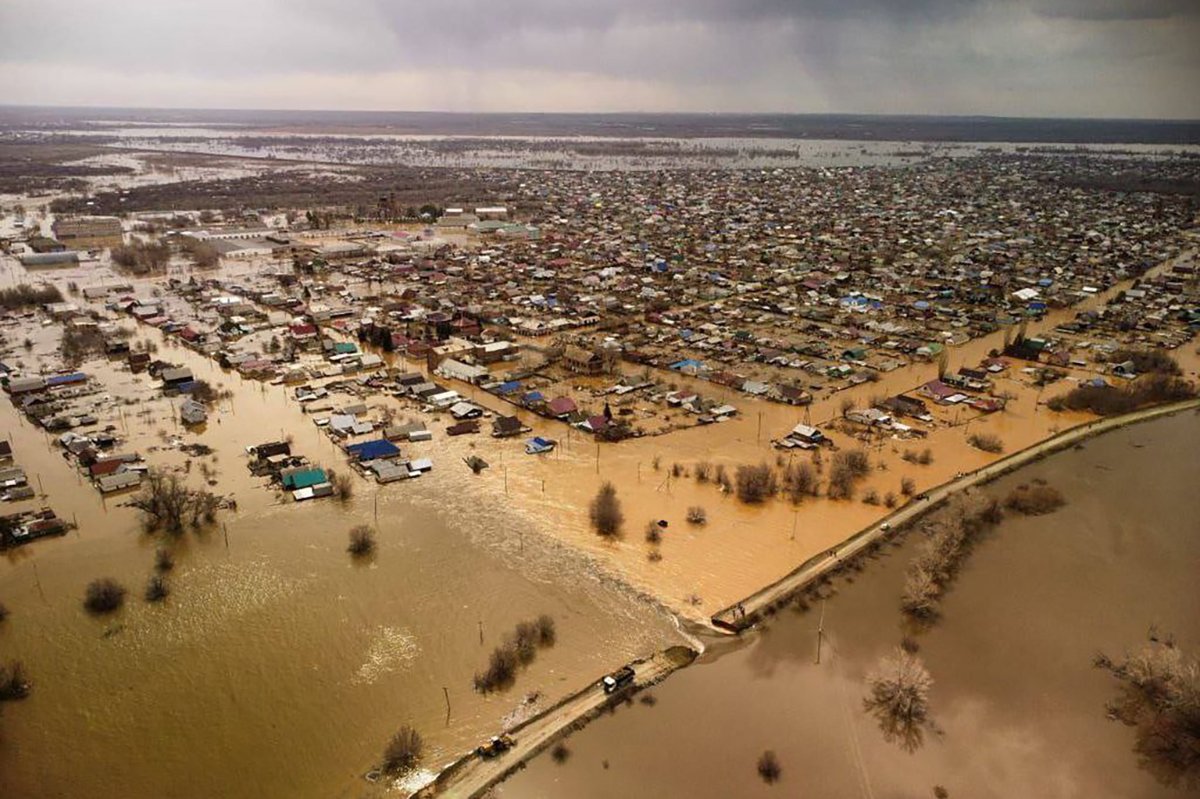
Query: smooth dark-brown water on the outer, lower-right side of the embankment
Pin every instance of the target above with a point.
(1021, 707)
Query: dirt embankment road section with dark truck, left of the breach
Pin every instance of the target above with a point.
(472, 776)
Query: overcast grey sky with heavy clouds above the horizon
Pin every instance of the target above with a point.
(1053, 58)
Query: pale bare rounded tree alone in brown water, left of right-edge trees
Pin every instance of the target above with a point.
(898, 698)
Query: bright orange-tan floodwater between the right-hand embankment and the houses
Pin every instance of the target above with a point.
(742, 548)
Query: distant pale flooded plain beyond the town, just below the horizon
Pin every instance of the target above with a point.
(604, 153)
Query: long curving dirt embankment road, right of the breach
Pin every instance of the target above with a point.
(746, 614)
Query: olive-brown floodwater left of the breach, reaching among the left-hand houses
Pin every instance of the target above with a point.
(278, 666)
